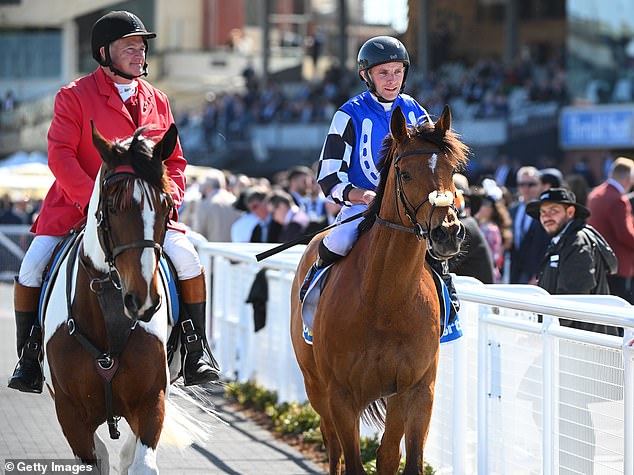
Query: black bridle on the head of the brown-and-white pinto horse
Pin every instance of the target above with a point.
(103, 225)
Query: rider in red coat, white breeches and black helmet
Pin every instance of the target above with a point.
(118, 102)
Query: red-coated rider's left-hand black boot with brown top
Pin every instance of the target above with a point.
(27, 376)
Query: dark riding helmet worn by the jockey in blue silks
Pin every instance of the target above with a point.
(381, 50)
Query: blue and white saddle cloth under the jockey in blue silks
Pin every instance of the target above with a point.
(452, 331)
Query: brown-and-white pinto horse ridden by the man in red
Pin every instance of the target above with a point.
(106, 323)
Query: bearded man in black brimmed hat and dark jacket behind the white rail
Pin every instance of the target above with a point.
(578, 259)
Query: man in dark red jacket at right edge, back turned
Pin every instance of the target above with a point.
(612, 217)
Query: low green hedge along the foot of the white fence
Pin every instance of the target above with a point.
(298, 419)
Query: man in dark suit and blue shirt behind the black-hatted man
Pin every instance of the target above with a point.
(529, 238)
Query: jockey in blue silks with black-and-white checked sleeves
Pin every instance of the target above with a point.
(348, 172)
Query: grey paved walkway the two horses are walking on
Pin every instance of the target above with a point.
(235, 445)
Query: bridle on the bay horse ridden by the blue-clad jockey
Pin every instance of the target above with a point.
(411, 210)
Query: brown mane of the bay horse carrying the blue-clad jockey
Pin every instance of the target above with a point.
(449, 143)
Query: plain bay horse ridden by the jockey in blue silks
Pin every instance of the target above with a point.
(376, 328)
